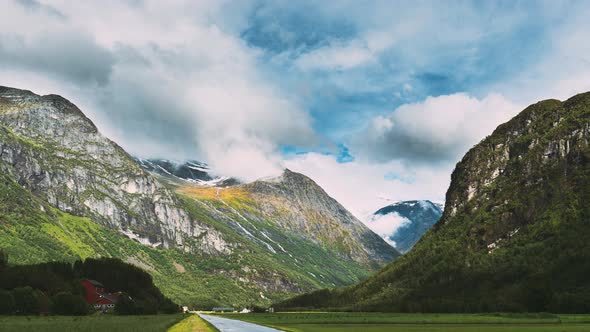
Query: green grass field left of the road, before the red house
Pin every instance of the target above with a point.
(110, 323)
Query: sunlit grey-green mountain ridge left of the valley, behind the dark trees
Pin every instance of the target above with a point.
(67, 192)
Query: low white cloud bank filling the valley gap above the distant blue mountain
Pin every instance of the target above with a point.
(363, 187)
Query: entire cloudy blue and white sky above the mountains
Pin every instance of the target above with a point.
(374, 100)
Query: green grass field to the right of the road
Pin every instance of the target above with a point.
(377, 322)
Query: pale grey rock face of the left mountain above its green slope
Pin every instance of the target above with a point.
(56, 152)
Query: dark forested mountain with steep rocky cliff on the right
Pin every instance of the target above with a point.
(515, 232)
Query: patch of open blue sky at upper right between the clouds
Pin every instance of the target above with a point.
(424, 63)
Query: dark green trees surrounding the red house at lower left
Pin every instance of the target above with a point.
(55, 288)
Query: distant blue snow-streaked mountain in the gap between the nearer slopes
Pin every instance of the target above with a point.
(413, 217)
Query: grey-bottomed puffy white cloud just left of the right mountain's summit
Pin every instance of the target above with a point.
(438, 129)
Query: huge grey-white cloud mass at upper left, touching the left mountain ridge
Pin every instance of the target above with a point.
(164, 79)
